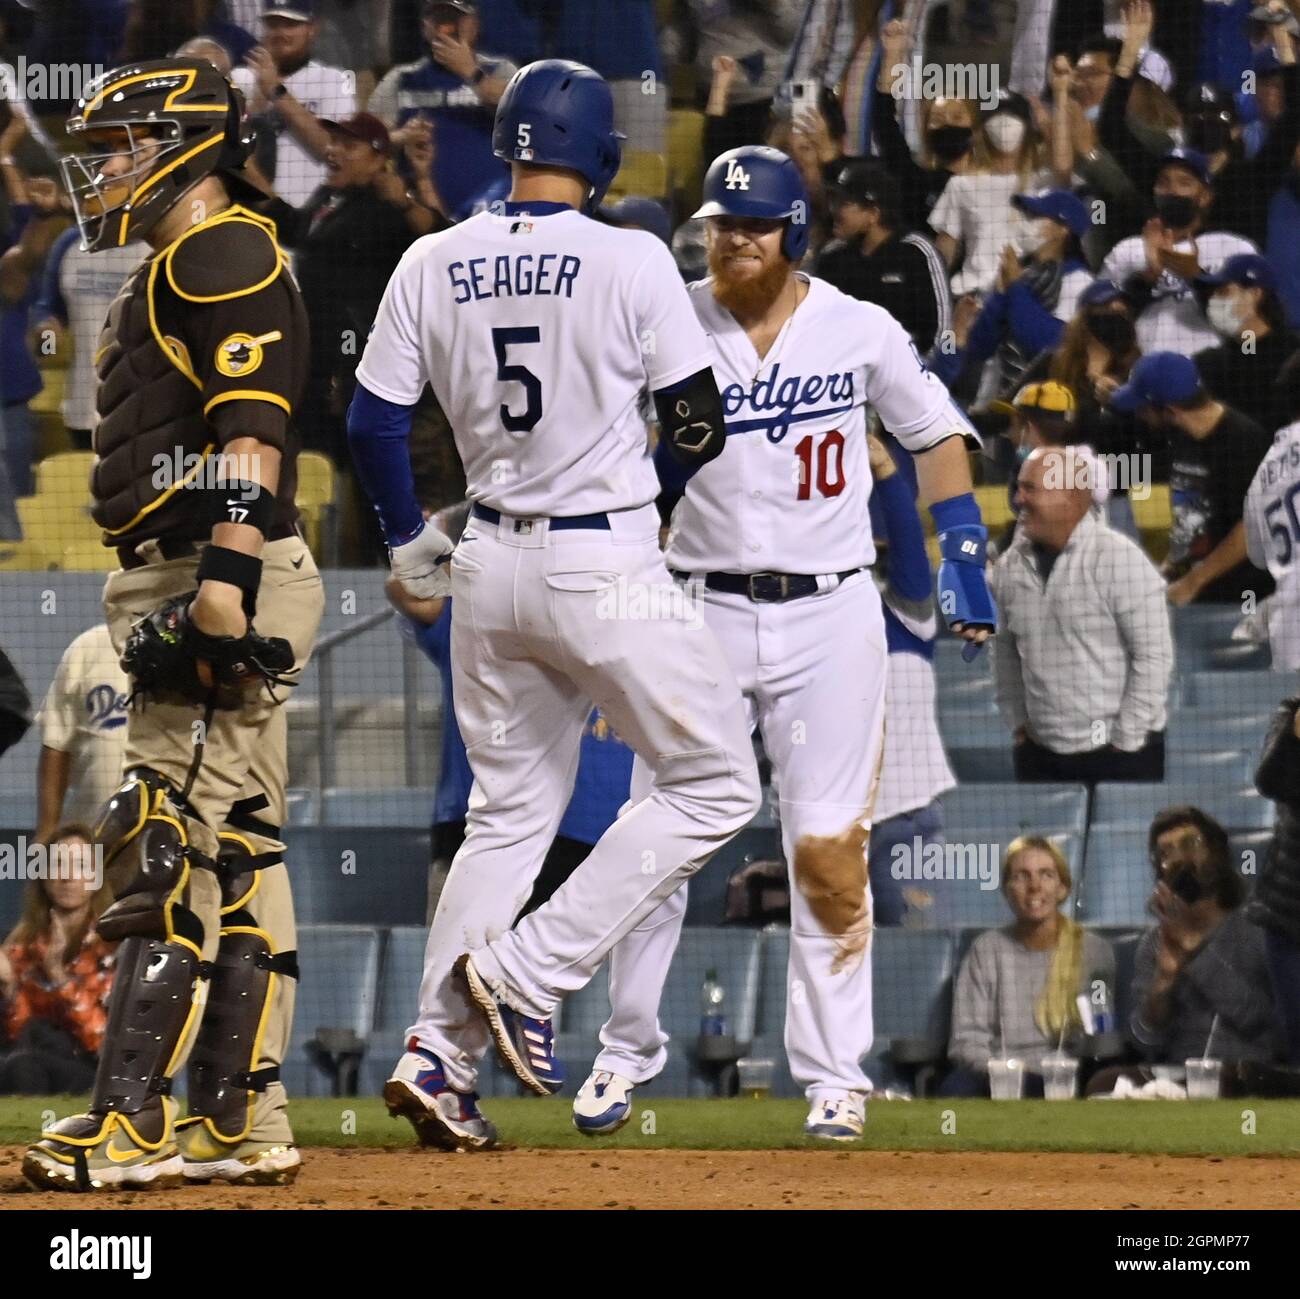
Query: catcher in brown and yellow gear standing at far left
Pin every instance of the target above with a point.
(201, 362)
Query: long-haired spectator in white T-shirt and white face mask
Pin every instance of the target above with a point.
(976, 220)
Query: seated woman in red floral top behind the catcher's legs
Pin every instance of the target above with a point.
(57, 973)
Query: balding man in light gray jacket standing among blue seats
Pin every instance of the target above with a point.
(1085, 656)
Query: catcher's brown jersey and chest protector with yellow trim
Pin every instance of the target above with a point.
(206, 344)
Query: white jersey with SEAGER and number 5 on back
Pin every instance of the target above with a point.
(538, 335)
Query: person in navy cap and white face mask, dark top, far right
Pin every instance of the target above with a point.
(1245, 310)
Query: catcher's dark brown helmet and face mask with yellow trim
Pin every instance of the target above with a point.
(181, 122)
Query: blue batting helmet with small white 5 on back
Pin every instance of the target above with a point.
(561, 114)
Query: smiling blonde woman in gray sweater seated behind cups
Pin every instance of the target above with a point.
(1019, 986)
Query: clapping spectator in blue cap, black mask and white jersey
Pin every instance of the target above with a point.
(1160, 267)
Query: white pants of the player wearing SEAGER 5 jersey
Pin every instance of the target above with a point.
(547, 625)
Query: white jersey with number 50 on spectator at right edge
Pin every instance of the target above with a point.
(1273, 542)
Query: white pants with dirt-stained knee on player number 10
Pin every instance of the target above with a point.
(813, 673)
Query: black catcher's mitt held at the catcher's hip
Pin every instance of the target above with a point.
(168, 657)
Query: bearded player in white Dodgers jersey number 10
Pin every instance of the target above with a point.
(775, 538)
